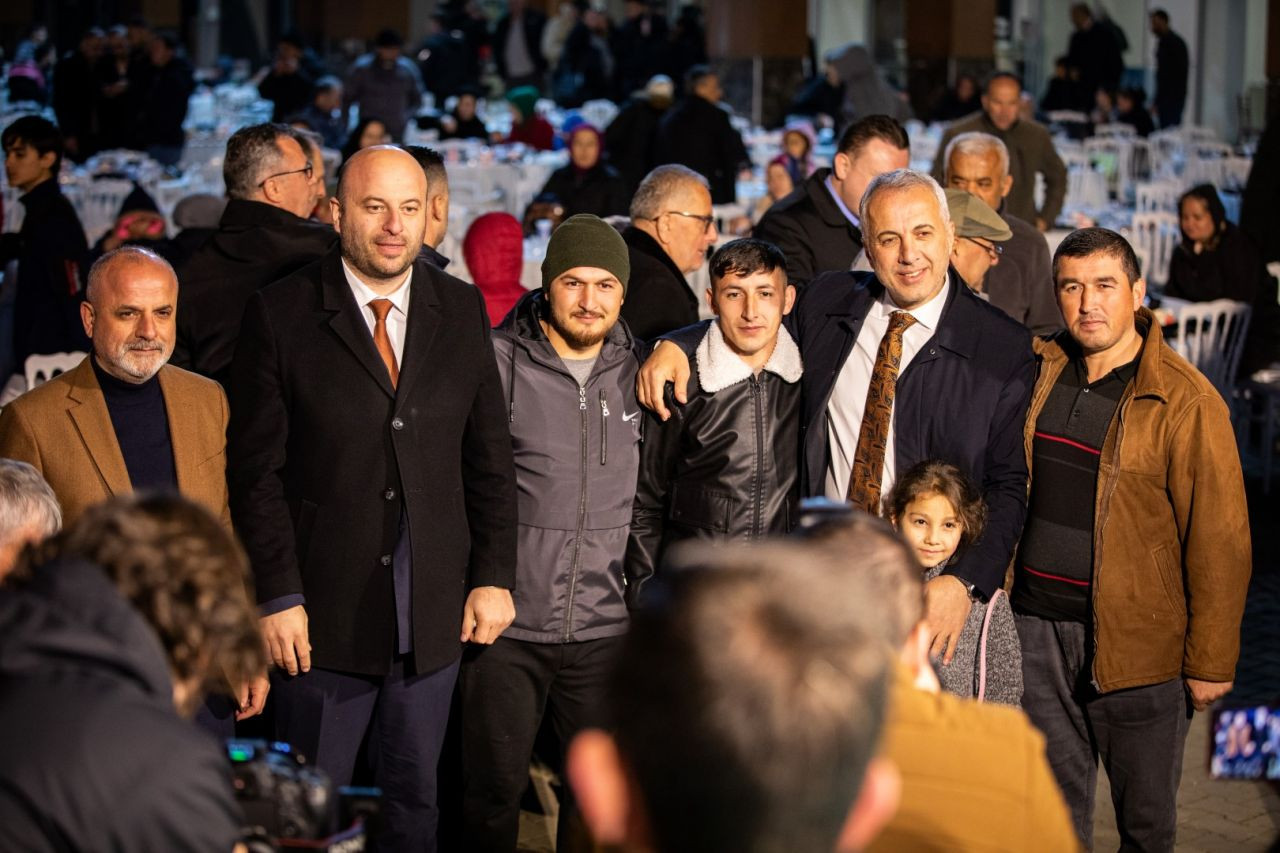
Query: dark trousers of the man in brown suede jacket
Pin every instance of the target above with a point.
(1139, 733)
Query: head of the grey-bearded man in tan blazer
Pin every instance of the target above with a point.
(130, 313)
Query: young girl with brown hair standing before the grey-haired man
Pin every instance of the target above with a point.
(940, 513)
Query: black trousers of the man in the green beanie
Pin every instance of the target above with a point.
(506, 690)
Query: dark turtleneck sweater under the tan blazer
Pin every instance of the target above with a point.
(141, 430)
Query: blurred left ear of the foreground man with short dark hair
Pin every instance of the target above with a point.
(600, 782)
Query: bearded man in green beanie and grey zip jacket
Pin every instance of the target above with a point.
(569, 367)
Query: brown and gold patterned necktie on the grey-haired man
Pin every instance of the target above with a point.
(865, 481)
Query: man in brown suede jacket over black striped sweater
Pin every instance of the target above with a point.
(1135, 563)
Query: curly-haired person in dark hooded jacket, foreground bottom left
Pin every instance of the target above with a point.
(109, 644)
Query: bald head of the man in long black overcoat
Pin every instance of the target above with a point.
(381, 213)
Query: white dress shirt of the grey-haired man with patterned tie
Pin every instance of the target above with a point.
(849, 396)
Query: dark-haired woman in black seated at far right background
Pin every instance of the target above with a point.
(1217, 262)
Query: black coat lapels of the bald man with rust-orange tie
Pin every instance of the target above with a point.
(349, 322)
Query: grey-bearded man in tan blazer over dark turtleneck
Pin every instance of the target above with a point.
(124, 419)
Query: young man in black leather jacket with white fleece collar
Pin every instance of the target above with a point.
(724, 467)
